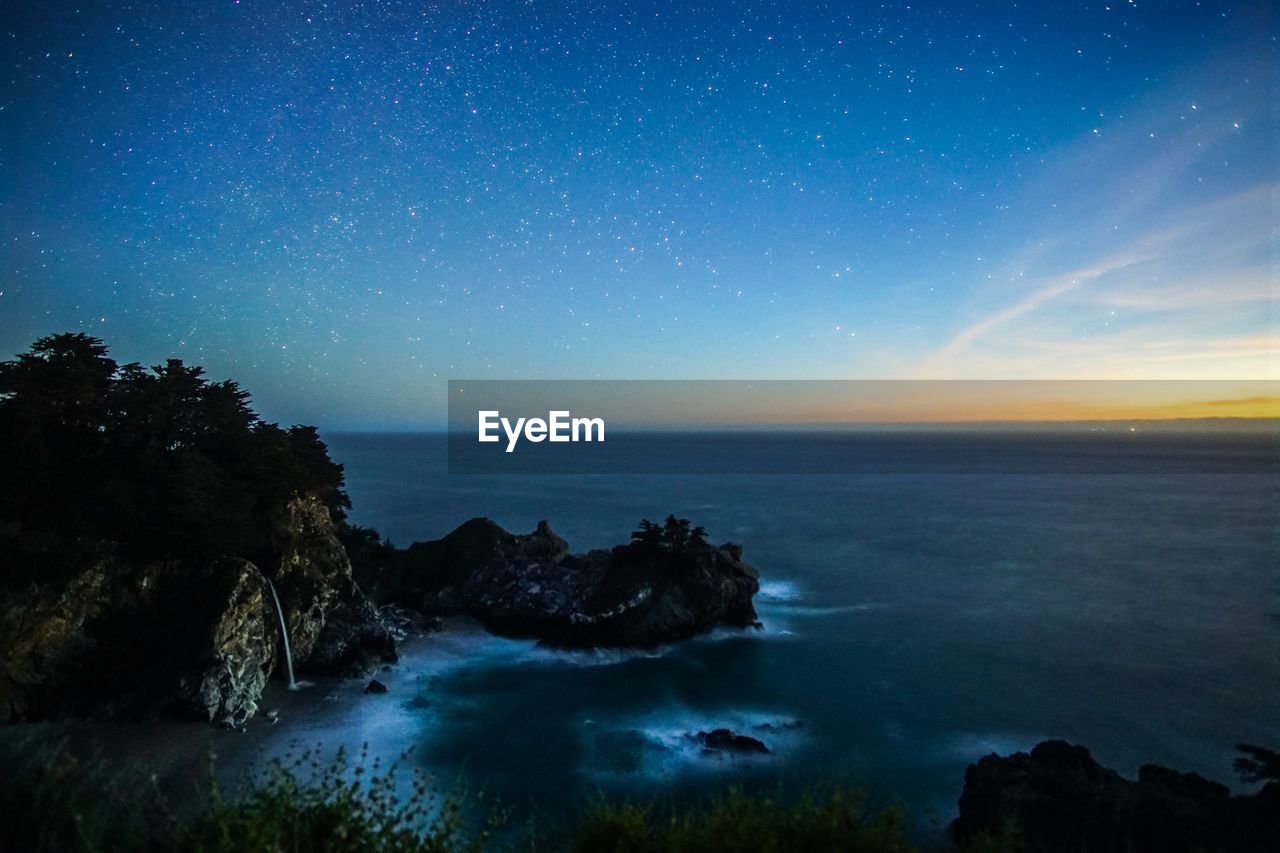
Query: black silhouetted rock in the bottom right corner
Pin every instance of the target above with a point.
(1063, 800)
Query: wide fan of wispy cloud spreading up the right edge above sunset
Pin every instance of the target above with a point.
(1146, 245)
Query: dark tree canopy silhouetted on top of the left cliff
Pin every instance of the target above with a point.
(154, 463)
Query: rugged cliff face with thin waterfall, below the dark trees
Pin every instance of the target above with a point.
(202, 637)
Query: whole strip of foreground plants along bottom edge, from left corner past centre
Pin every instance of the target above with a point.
(53, 802)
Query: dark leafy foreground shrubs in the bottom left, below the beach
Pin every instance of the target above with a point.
(54, 802)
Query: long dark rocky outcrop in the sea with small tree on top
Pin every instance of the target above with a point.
(638, 595)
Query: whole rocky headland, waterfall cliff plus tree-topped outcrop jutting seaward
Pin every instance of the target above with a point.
(203, 636)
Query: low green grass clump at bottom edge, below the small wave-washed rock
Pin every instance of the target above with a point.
(738, 822)
